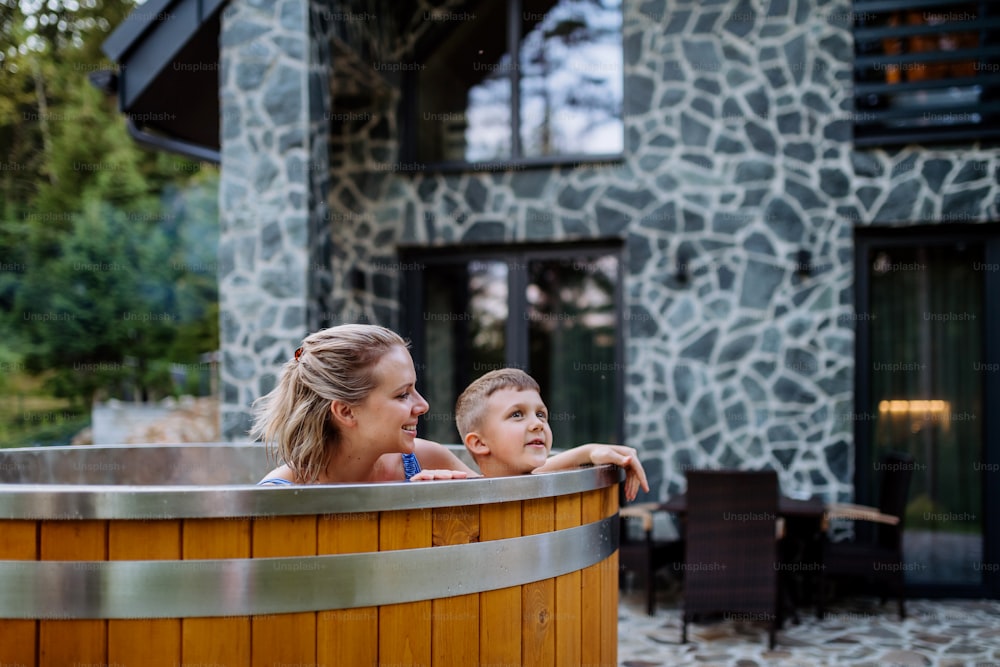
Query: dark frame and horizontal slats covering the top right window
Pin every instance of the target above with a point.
(871, 96)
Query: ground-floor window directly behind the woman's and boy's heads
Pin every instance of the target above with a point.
(551, 311)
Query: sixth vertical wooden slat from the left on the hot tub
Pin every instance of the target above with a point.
(347, 636)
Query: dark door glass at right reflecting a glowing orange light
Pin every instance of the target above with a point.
(927, 308)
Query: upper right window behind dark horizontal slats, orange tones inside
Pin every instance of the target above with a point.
(926, 71)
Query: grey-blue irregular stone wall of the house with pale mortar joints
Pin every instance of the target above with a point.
(738, 157)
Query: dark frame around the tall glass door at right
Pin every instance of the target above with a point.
(866, 240)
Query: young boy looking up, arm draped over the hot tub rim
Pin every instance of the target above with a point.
(504, 425)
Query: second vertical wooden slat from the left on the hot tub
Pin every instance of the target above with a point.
(62, 643)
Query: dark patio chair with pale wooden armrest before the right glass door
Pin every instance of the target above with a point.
(875, 555)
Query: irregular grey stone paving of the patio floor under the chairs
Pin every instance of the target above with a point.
(855, 633)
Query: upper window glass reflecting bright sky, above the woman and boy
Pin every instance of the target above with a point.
(525, 80)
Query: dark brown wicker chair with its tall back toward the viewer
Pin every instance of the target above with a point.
(732, 547)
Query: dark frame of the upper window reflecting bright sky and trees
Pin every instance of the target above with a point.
(408, 114)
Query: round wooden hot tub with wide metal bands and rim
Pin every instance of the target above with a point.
(137, 556)
